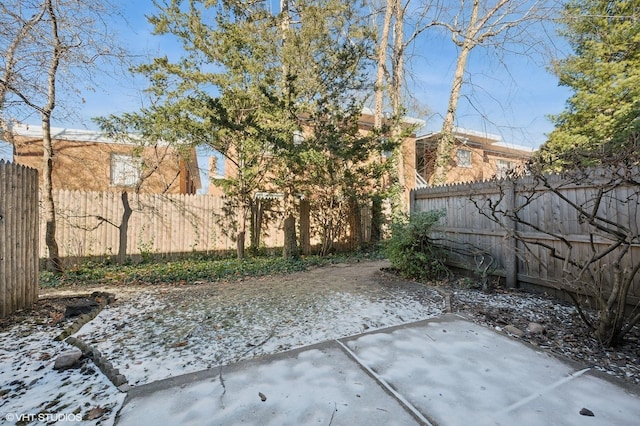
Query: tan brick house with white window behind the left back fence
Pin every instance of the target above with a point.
(89, 161)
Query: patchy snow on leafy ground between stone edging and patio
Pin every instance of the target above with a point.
(159, 334)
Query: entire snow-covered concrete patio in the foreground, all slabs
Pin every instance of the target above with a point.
(446, 371)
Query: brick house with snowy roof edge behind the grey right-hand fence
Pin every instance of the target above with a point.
(478, 156)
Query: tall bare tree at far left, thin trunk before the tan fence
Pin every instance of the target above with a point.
(57, 47)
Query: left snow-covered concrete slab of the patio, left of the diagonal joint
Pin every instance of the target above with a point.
(316, 386)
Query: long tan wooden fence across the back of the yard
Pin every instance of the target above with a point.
(87, 225)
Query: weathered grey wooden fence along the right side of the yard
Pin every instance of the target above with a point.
(465, 229)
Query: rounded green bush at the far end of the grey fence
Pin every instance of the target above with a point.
(412, 251)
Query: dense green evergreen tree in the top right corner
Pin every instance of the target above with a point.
(603, 115)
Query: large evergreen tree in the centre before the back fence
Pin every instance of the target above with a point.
(252, 81)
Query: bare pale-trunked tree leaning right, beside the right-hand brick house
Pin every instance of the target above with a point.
(496, 24)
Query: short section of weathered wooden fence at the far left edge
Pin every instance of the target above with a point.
(18, 237)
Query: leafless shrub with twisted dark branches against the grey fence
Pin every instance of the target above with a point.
(603, 203)
